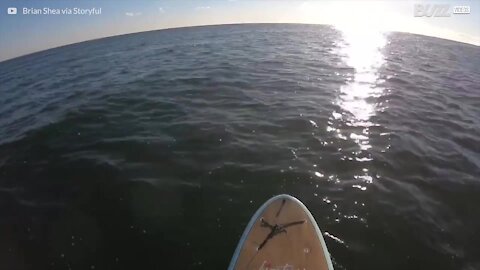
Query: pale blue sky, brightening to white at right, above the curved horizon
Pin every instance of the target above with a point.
(22, 34)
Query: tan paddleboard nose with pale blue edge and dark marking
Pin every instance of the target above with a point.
(282, 235)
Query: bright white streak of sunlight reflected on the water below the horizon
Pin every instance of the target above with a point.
(362, 52)
